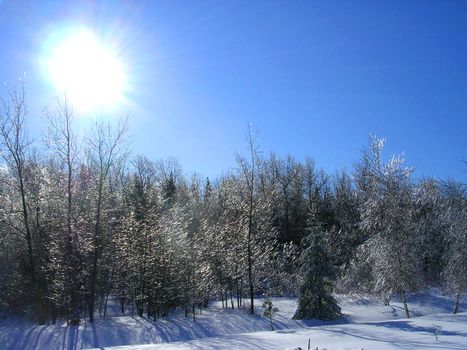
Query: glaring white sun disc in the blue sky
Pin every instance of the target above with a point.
(87, 71)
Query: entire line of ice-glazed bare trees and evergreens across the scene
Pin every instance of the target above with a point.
(82, 221)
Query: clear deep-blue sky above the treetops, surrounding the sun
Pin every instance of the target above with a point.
(314, 77)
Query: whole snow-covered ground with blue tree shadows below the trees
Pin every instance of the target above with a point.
(367, 324)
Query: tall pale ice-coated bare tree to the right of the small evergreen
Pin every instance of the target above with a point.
(388, 220)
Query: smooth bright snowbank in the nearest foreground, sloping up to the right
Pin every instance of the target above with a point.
(411, 334)
